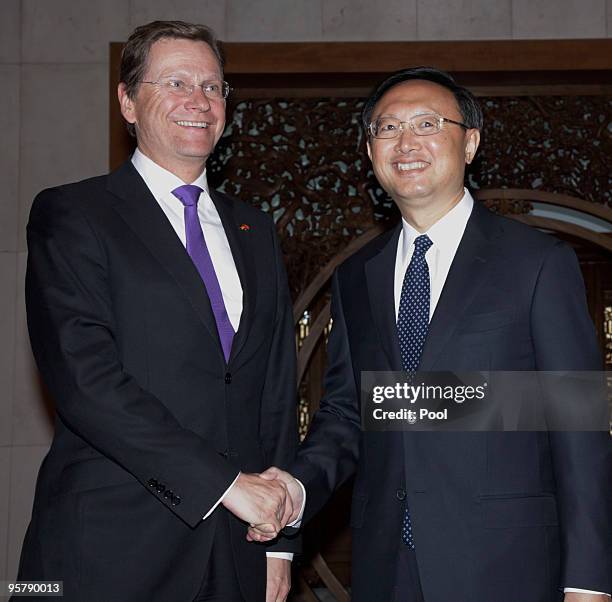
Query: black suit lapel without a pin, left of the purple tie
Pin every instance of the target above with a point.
(142, 213)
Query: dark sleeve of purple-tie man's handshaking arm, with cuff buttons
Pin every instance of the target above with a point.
(74, 340)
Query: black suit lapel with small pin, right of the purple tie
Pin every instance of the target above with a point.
(241, 245)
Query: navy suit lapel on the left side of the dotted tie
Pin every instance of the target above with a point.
(380, 278)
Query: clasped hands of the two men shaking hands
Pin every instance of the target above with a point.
(268, 502)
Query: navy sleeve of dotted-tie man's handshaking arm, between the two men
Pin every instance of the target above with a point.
(328, 456)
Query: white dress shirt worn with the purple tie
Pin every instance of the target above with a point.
(161, 183)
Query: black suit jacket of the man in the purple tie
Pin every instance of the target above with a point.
(152, 425)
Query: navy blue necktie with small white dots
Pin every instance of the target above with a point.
(412, 324)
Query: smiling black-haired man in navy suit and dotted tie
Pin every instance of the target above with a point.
(480, 516)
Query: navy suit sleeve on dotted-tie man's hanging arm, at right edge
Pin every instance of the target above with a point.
(564, 339)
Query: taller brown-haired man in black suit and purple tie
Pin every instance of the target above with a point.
(161, 322)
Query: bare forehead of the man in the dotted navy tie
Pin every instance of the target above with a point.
(417, 92)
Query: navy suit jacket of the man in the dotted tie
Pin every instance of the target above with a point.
(504, 516)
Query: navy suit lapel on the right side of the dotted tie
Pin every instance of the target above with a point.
(465, 277)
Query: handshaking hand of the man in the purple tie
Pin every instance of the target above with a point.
(259, 501)
